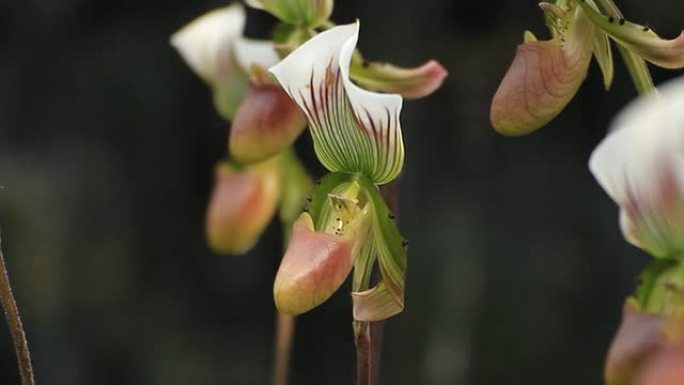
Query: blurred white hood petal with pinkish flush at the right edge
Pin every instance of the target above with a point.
(640, 164)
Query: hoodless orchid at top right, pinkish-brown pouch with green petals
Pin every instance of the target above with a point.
(545, 75)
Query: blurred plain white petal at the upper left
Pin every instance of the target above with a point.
(206, 43)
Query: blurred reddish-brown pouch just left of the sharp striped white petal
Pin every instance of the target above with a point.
(266, 122)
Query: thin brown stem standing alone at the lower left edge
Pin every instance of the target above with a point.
(16, 329)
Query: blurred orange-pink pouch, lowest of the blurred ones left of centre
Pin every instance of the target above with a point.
(242, 204)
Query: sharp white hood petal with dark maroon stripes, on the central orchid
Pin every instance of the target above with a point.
(354, 130)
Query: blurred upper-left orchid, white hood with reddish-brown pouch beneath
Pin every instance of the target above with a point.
(265, 120)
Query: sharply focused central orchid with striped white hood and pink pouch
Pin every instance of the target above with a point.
(357, 135)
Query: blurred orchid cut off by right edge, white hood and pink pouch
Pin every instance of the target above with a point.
(640, 165)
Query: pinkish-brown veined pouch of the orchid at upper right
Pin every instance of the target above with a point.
(544, 75)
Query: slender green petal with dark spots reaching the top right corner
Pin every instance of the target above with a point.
(667, 53)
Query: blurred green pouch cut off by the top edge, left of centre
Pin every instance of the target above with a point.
(307, 13)
